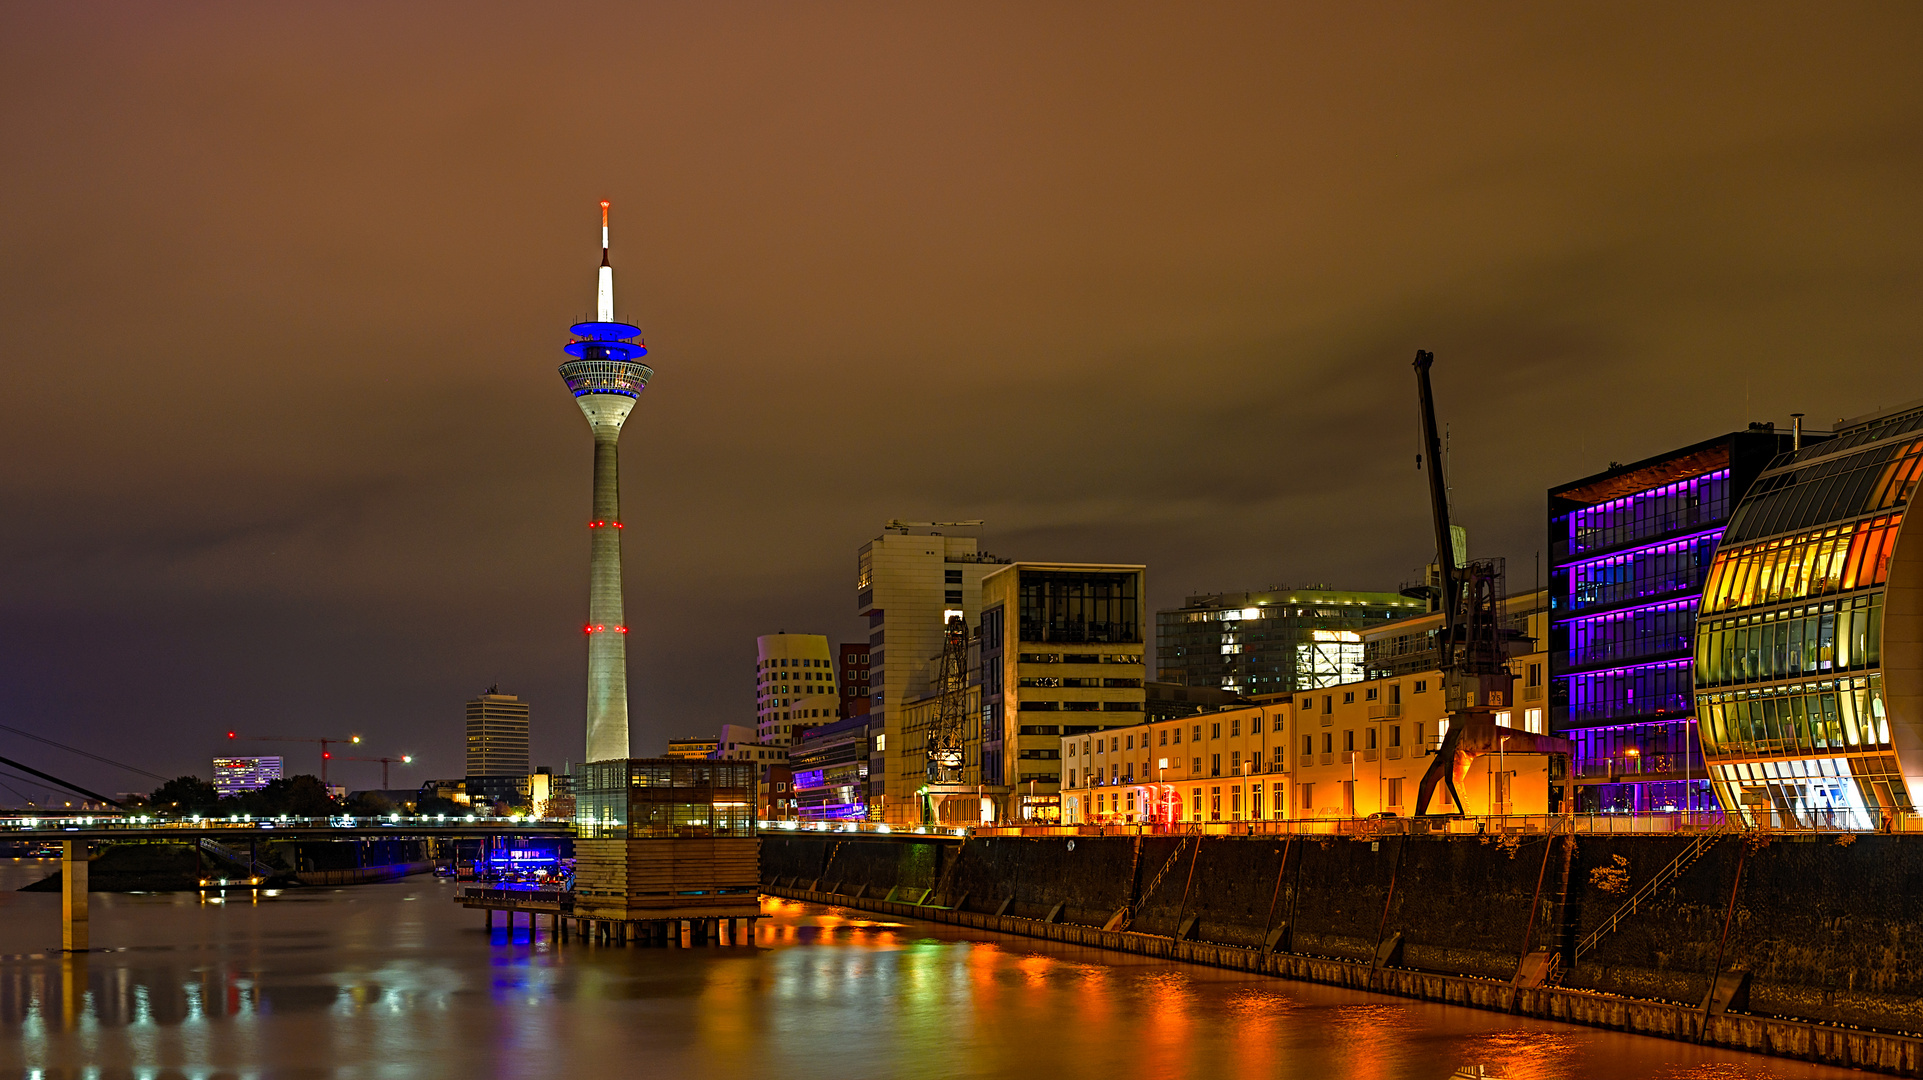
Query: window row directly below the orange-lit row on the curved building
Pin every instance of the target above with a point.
(1791, 645)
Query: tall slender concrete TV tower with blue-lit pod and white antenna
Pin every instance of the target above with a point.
(605, 374)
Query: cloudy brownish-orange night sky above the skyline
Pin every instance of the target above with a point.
(284, 291)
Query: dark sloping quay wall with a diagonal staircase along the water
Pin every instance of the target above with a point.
(1807, 941)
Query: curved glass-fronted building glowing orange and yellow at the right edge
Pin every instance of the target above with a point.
(1811, 635)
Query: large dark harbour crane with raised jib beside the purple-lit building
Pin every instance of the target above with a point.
(1474, 647)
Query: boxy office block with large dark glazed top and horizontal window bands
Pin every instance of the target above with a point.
(1061, 656)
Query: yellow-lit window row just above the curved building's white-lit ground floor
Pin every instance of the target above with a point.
(1836, 716)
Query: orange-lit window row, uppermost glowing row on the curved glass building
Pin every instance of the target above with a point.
(1812, 564)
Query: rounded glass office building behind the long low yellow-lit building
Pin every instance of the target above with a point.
(1272, 643)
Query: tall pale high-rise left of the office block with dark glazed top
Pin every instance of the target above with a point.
(909, 583)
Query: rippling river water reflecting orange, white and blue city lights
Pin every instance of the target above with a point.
(397, 981)
